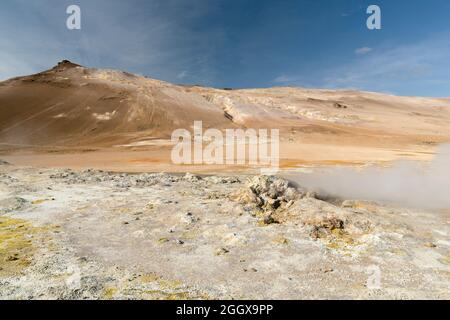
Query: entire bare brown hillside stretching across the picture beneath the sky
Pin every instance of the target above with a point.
(70, 107)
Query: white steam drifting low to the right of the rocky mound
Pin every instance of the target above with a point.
(406, 183)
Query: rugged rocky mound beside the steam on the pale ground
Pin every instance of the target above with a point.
(276, 200)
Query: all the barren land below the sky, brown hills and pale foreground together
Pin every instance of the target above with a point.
(92, 205)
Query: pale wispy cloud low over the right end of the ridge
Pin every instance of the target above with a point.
(415, 67)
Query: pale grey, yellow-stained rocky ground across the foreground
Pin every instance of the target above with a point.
(100, 235)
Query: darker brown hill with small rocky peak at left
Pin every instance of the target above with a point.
(73, 105)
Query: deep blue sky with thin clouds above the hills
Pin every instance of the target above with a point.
(239, 43)
